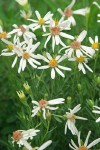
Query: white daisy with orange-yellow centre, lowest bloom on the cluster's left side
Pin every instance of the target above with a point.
(27, 55)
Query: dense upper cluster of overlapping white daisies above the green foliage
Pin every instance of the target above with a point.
(25, 50)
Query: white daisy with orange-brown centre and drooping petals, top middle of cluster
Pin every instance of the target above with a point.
(56, 28)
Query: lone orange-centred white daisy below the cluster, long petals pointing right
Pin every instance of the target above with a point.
(45, 106)
